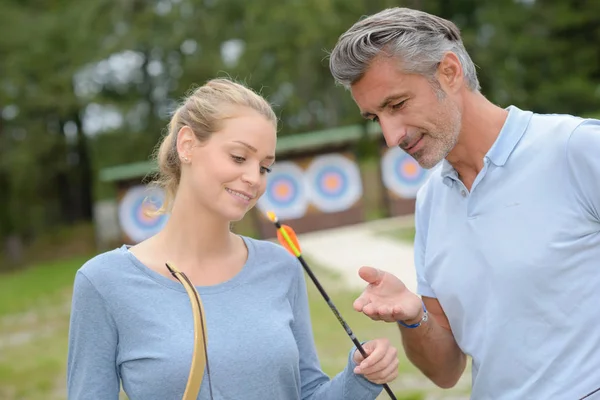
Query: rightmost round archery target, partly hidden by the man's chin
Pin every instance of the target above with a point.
(401, 173)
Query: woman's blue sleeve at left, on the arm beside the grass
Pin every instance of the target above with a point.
(91, 364)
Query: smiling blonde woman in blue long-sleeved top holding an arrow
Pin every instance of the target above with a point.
(131, 321)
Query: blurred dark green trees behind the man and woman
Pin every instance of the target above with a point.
(86, 85)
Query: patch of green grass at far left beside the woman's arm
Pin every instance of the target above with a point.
(34, 318)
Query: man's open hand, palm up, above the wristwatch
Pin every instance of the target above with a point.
(386, 298)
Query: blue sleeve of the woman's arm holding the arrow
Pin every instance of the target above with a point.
(315, 384)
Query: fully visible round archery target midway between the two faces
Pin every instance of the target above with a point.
(334, 183)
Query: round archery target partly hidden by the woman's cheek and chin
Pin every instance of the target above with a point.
(285, 194)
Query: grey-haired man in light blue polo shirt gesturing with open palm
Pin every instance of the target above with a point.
(507, 246)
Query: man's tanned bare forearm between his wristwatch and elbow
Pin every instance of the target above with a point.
(432, 348)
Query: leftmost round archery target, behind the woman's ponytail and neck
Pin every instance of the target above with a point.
(134, 221)
